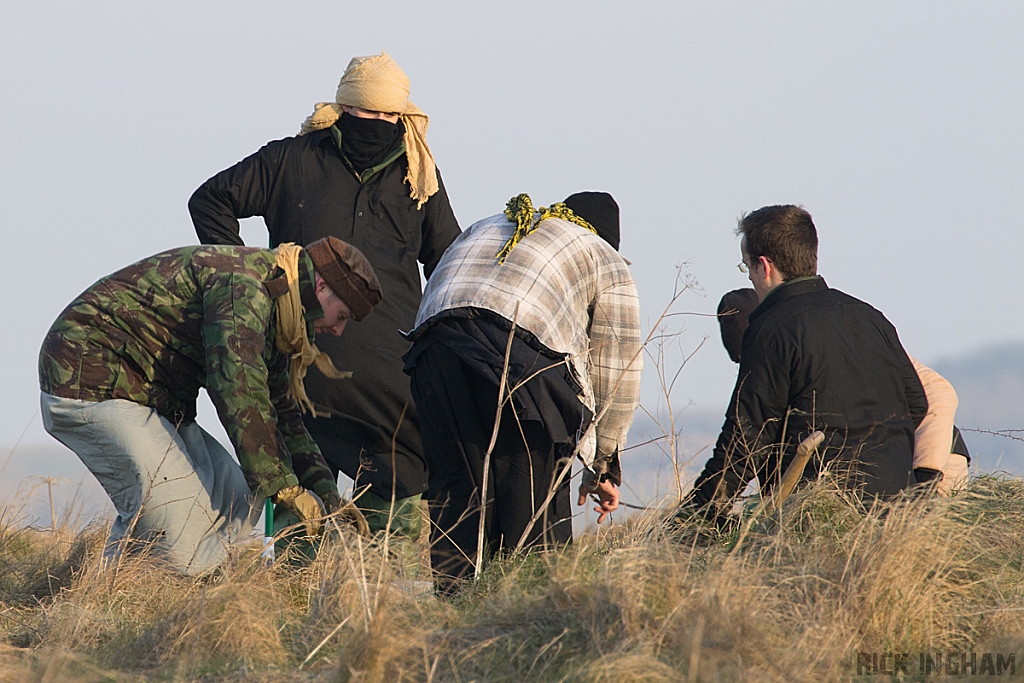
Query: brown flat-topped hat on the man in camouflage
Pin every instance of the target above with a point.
(348, 273)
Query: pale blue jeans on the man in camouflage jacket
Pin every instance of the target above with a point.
(175, 488)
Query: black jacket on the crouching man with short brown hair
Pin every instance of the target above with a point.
(815, 358)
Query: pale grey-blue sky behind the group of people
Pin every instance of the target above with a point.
(897, 124)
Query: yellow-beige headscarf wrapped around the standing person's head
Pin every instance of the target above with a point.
(378, 84)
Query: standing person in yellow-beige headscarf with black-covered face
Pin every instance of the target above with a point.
(360, 170)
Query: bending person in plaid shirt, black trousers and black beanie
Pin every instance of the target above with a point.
(543, 301)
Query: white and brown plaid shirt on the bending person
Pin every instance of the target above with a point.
(576, 294)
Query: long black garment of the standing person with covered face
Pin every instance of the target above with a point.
(305, 191)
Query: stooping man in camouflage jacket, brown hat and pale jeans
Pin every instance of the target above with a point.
(121, 369)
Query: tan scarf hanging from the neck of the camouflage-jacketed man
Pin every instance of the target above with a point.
(292, 337)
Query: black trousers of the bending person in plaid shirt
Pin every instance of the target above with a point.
(457, 410)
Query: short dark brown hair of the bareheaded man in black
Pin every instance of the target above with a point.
(786, 236)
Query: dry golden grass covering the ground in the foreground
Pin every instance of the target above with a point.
(794, 599)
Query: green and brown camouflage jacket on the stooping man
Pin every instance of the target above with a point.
(157, 331)
